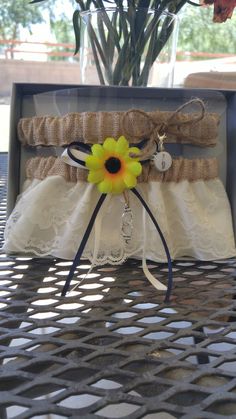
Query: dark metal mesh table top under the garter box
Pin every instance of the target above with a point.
(112, 348)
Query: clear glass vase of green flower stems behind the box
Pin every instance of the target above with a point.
(130, 43)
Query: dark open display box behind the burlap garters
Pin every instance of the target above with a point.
(36, 99)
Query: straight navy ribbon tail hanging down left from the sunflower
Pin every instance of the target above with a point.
(82, 244)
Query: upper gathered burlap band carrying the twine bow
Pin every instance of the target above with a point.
(94, 127)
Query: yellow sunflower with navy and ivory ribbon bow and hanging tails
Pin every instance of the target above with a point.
(114, 170)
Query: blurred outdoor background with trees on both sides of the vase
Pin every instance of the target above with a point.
(37, 45)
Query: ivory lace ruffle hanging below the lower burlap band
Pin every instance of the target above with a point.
(51, 216)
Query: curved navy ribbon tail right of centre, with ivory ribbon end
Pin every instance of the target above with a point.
(170, 274)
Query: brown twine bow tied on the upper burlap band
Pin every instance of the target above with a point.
(152, 130)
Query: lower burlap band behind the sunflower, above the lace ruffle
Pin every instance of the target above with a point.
(181, 169)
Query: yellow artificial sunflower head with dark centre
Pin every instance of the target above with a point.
(111, 167)
